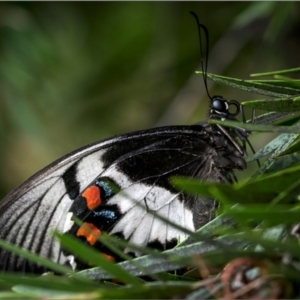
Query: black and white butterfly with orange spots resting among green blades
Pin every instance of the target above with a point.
(112, 185)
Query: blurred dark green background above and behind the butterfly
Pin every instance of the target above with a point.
(75, 73)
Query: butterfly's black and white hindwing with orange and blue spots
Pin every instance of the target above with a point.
(135, 182)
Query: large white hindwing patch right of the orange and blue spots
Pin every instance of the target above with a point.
(141, 227)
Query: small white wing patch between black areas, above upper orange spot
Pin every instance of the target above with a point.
(89, 168)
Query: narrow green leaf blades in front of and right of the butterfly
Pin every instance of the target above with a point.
(250, 250)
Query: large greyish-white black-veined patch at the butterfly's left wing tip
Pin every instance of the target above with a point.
(47, 199)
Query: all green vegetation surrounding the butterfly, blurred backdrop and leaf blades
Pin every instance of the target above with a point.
(75, 73)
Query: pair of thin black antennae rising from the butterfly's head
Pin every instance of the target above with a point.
(203, 59)
